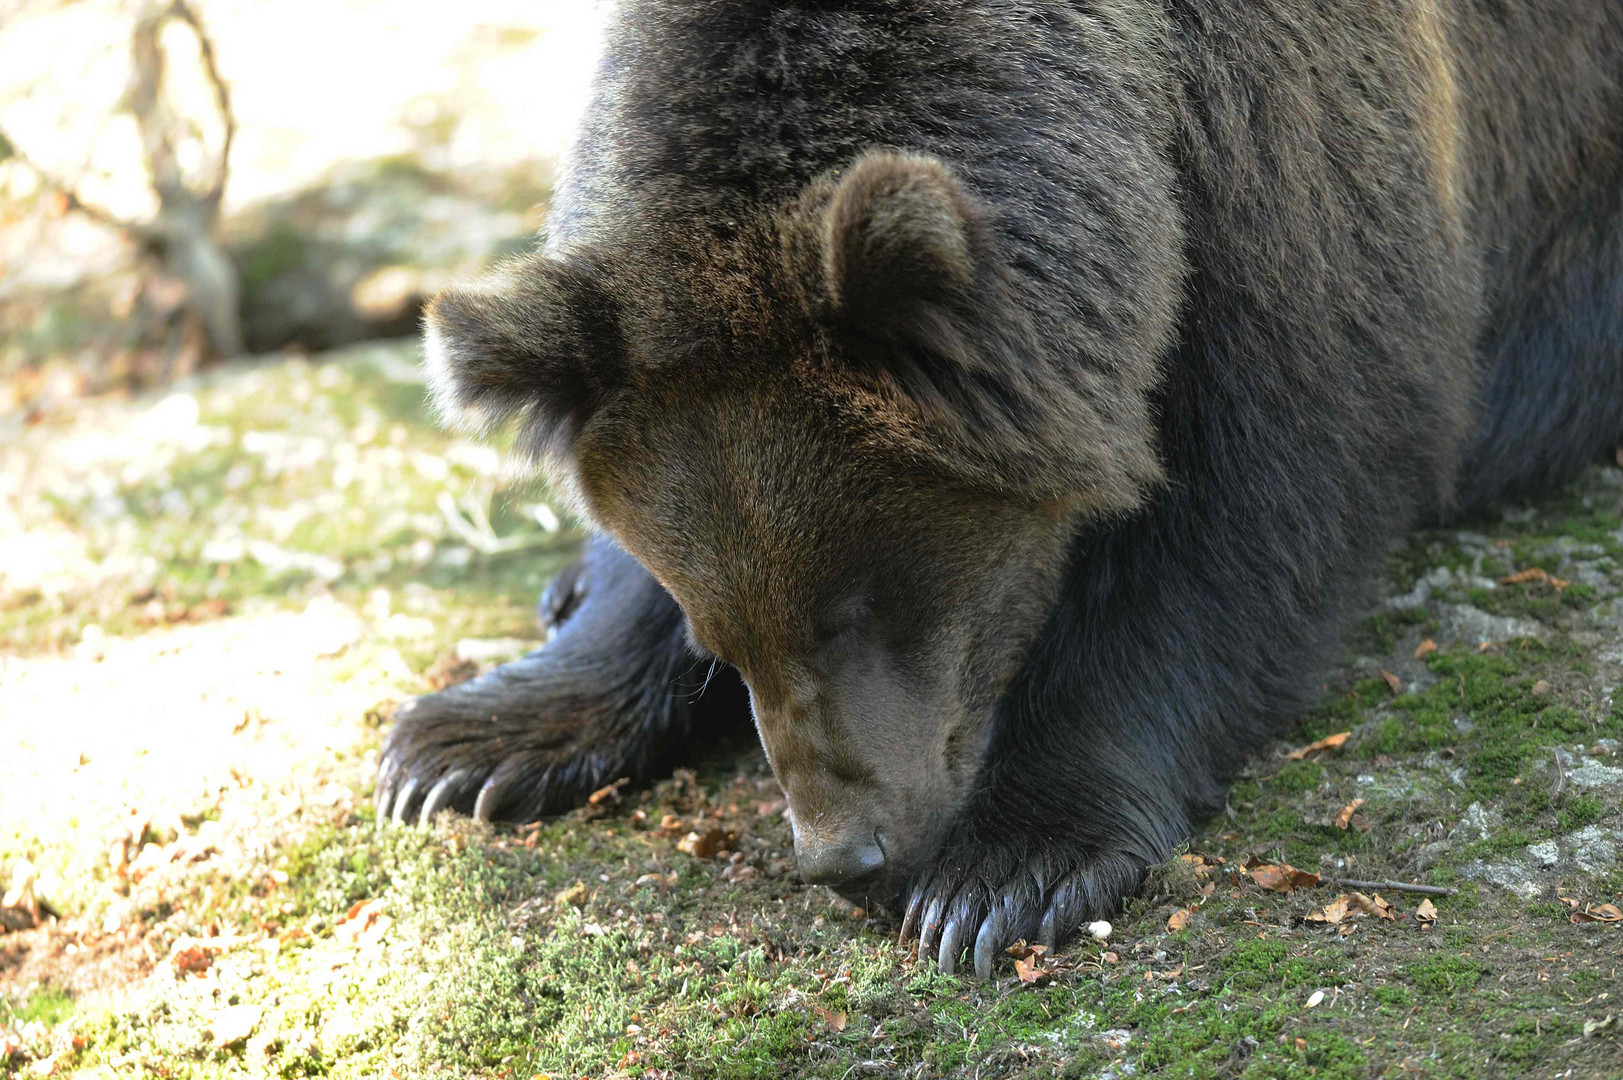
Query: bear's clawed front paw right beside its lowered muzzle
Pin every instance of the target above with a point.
(988, 897)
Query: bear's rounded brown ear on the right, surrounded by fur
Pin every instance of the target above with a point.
(900, 240)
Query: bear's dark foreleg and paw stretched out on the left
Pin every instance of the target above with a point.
(614, 694)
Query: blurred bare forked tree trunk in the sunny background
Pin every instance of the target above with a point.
(184, 236)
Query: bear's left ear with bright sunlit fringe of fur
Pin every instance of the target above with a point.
(536, 340)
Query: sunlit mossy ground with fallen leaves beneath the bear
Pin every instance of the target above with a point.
(314, 509)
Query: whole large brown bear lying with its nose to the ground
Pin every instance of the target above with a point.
(1020, 395)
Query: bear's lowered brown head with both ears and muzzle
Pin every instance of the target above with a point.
(843, 441)
